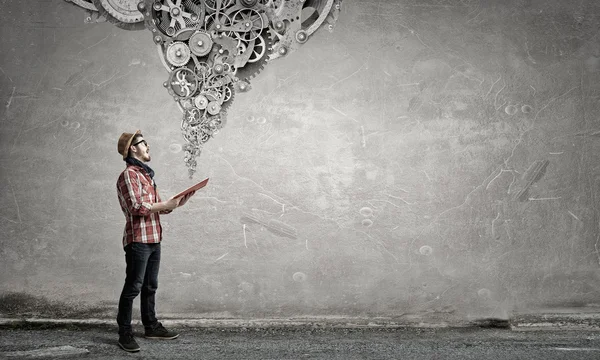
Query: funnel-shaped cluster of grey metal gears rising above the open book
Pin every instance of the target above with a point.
(212, 49)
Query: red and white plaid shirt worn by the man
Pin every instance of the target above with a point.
(136, 192)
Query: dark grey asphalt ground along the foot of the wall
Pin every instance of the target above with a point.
(100, 342)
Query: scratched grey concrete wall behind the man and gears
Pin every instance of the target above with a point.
(428, 159)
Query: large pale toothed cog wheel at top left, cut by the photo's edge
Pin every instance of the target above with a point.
(124, 14)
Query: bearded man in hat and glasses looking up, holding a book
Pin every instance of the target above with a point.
(141, 206)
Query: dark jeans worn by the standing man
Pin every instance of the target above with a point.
(143, 261)
